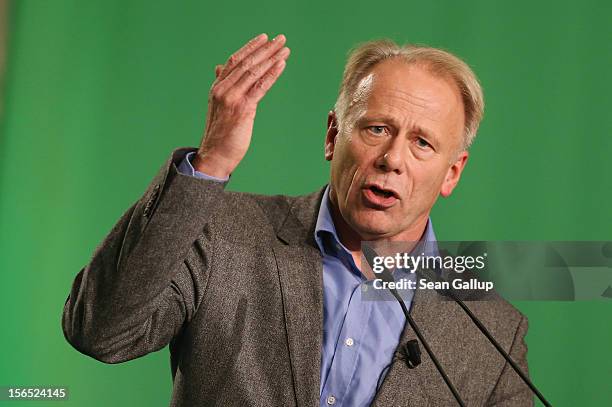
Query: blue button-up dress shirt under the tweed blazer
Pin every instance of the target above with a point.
(359, 335)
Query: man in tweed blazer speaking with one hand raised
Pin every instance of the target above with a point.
(258, 296)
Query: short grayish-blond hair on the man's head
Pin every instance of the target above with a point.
(363, 57)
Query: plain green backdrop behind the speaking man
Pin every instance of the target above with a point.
(99, 93)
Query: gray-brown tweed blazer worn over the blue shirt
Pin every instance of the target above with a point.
(233, 283)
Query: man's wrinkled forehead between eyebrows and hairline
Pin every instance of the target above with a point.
(411, 95)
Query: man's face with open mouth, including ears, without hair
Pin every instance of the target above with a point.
(400, 153)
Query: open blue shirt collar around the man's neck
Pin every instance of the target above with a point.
(325, 227)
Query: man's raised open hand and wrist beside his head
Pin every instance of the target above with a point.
(240, 84)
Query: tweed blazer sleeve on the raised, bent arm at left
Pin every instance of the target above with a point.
(147, 277)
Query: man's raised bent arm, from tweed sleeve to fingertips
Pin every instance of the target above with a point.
(146, 279)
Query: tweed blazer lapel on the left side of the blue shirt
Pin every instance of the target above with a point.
(301, 280)
